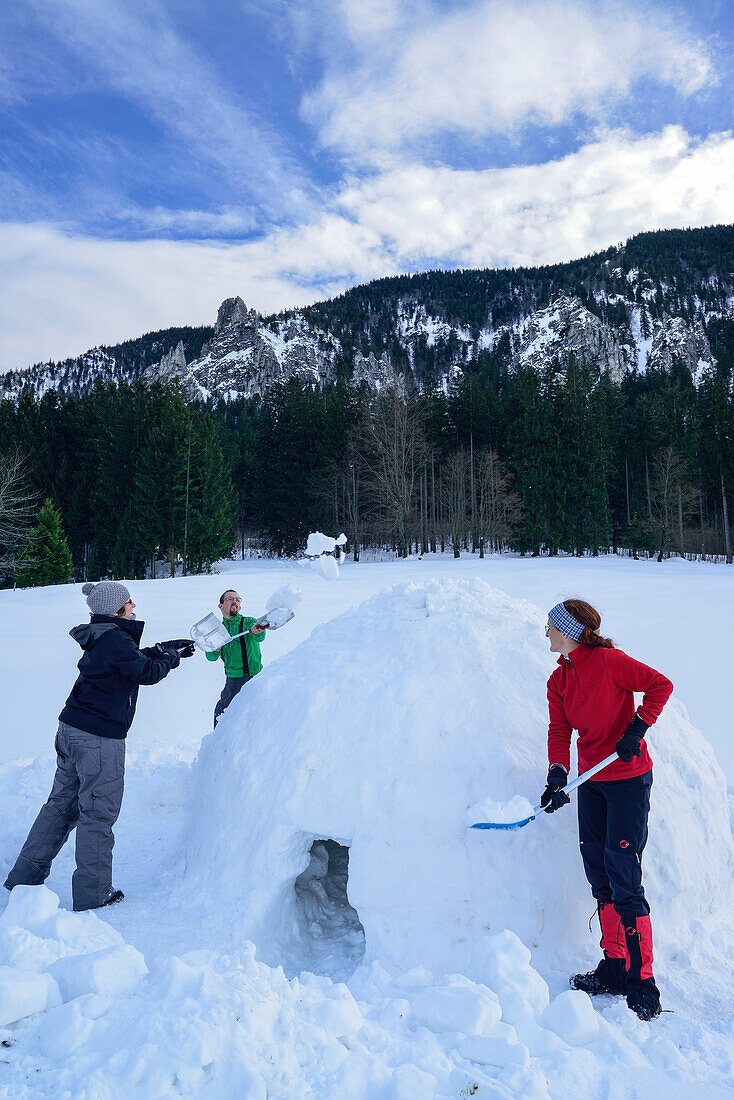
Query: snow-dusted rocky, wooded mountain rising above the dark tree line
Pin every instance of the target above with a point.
(649, 303)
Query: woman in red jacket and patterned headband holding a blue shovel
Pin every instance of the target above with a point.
(591, 691)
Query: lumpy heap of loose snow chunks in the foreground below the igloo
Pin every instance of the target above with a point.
(227, 1026)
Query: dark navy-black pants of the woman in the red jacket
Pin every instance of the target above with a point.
(612, 834)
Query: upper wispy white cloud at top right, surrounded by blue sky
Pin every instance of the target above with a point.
(491, 68)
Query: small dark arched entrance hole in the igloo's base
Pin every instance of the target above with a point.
(332, 934)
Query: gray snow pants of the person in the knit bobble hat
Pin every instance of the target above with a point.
(87, 795)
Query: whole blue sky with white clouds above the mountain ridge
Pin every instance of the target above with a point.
(158, 157)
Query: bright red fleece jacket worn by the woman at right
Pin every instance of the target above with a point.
(593, 691)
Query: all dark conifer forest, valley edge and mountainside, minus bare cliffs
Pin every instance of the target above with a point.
(462, 453)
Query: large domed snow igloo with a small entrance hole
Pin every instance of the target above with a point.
(327, 808)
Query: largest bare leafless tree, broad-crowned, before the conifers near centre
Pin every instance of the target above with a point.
(392, 450)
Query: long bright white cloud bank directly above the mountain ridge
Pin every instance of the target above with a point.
(61, 295)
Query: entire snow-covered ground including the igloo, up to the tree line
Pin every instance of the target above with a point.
(239, 967)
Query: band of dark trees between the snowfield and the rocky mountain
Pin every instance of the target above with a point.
(560, 460)
